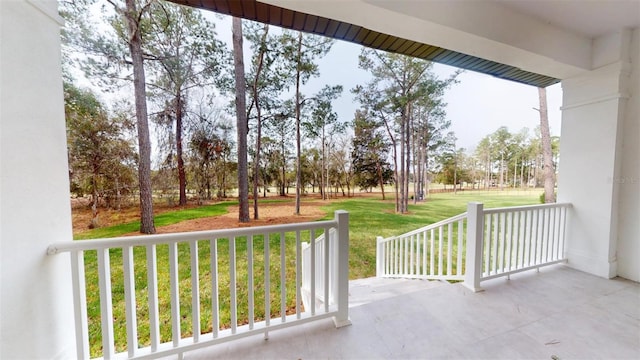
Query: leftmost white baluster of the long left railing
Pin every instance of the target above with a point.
(80, 304)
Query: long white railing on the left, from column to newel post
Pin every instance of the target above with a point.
(215, 286)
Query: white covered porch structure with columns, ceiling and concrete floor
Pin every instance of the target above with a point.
(560, 311)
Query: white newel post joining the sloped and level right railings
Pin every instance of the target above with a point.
(475, 231)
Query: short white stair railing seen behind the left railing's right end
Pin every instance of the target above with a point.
(319, 280)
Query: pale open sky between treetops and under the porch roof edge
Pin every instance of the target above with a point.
(477, 106)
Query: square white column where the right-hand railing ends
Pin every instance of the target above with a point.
(591, 151)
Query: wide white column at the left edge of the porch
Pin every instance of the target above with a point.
(36, 297)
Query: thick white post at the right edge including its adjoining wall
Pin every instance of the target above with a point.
(599, 167)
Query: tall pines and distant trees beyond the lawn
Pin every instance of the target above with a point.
(161, 77)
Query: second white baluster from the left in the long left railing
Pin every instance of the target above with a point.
(106, 308)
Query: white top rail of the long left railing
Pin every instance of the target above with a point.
(141, 240)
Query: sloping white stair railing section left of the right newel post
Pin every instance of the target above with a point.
(432, 252)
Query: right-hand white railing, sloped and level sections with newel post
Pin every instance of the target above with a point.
(478, 245)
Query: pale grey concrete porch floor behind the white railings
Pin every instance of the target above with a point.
(558, 313)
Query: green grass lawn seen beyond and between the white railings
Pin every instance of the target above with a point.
(369, 218)
